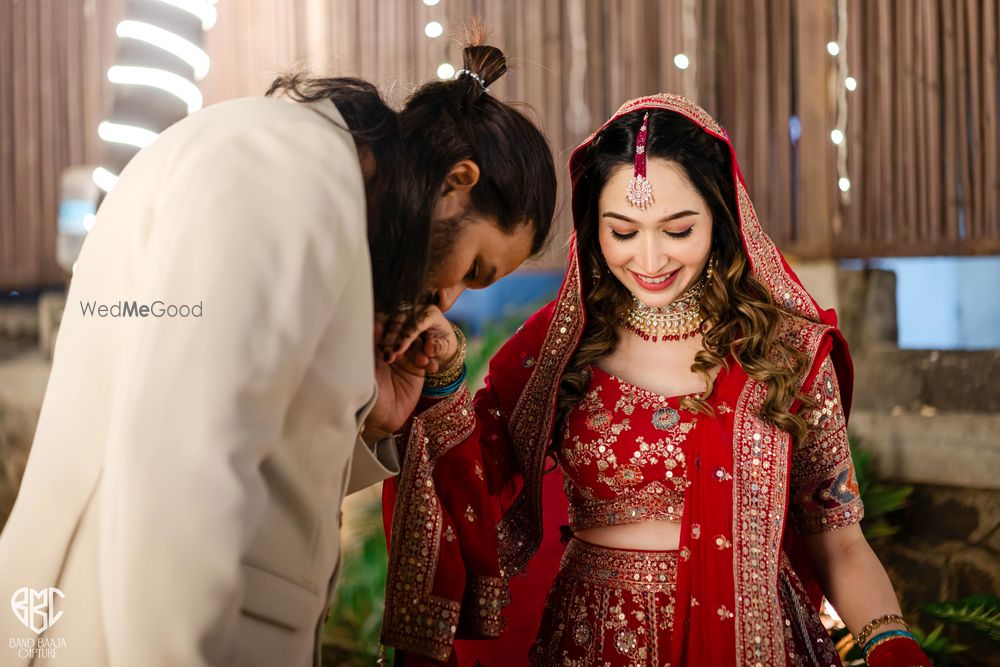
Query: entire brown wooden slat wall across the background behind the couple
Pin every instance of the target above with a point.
(922, 131)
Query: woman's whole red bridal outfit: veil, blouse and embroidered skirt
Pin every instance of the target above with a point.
(474, 519)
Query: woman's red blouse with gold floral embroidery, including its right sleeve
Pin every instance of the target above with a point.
(624, 455)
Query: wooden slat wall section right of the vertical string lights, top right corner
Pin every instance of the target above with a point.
(923, 135)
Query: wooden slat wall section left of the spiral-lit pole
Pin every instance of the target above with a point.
(53, 93)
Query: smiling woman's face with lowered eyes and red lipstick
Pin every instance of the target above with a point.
(659, 252)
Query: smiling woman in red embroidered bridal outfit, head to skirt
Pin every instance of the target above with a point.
(694, 397)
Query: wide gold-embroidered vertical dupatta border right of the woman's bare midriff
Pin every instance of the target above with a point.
(761, 467)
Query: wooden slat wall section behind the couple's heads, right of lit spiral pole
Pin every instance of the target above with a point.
(630, 47)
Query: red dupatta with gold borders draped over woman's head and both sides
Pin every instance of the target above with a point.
(740, 490)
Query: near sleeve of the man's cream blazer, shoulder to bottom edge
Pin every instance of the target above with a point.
(261, 226)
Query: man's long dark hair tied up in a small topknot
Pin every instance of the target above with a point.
(441, 124)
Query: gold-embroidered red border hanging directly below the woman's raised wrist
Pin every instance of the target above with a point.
(415, 619)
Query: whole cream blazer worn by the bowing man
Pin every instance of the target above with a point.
(184, 486)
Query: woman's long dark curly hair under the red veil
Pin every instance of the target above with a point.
(740, 316)
